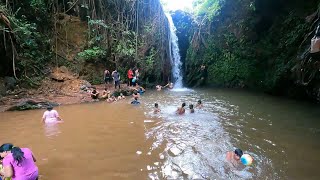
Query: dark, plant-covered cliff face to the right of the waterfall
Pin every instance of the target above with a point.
(261, 44)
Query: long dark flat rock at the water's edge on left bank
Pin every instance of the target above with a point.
(31, 104)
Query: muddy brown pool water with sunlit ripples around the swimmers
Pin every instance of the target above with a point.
(119, 141)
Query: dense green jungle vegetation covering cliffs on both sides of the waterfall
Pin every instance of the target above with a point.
(263, 45)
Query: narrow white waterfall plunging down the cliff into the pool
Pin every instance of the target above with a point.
(174, 54)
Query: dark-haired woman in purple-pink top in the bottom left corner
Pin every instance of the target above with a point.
(18, 163)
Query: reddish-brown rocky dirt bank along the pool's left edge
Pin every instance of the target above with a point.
(53, 93)
